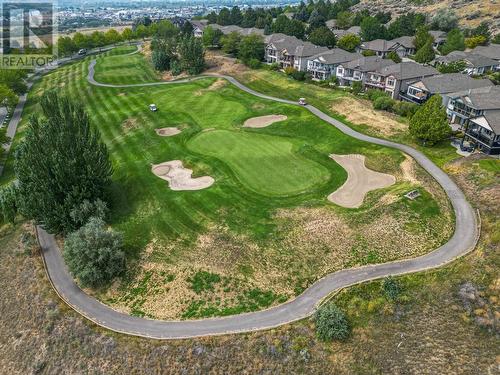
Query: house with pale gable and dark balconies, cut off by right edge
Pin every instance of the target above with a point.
(484, 132)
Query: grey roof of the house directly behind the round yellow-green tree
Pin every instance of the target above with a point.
(446, 83)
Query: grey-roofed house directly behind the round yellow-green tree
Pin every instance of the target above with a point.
(421, 90)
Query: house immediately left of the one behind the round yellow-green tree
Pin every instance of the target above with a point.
(395, 78)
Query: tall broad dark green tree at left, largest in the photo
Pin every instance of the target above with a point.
(60, 163)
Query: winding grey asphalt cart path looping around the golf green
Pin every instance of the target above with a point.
(462, 242)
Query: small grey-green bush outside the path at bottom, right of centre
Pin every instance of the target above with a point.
(331, 323)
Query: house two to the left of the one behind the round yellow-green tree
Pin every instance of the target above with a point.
(357, 70)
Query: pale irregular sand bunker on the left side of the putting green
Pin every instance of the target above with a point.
(179, 178)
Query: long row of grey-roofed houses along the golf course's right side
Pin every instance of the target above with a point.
(472, 104)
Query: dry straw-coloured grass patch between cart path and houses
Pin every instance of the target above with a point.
(361, 112)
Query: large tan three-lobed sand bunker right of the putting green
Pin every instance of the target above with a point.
(360, 181)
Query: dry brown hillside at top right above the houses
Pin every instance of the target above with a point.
(470, 13)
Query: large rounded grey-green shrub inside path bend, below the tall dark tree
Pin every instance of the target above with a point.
(94, 254)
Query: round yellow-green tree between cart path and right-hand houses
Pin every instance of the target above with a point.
(430, 123)
